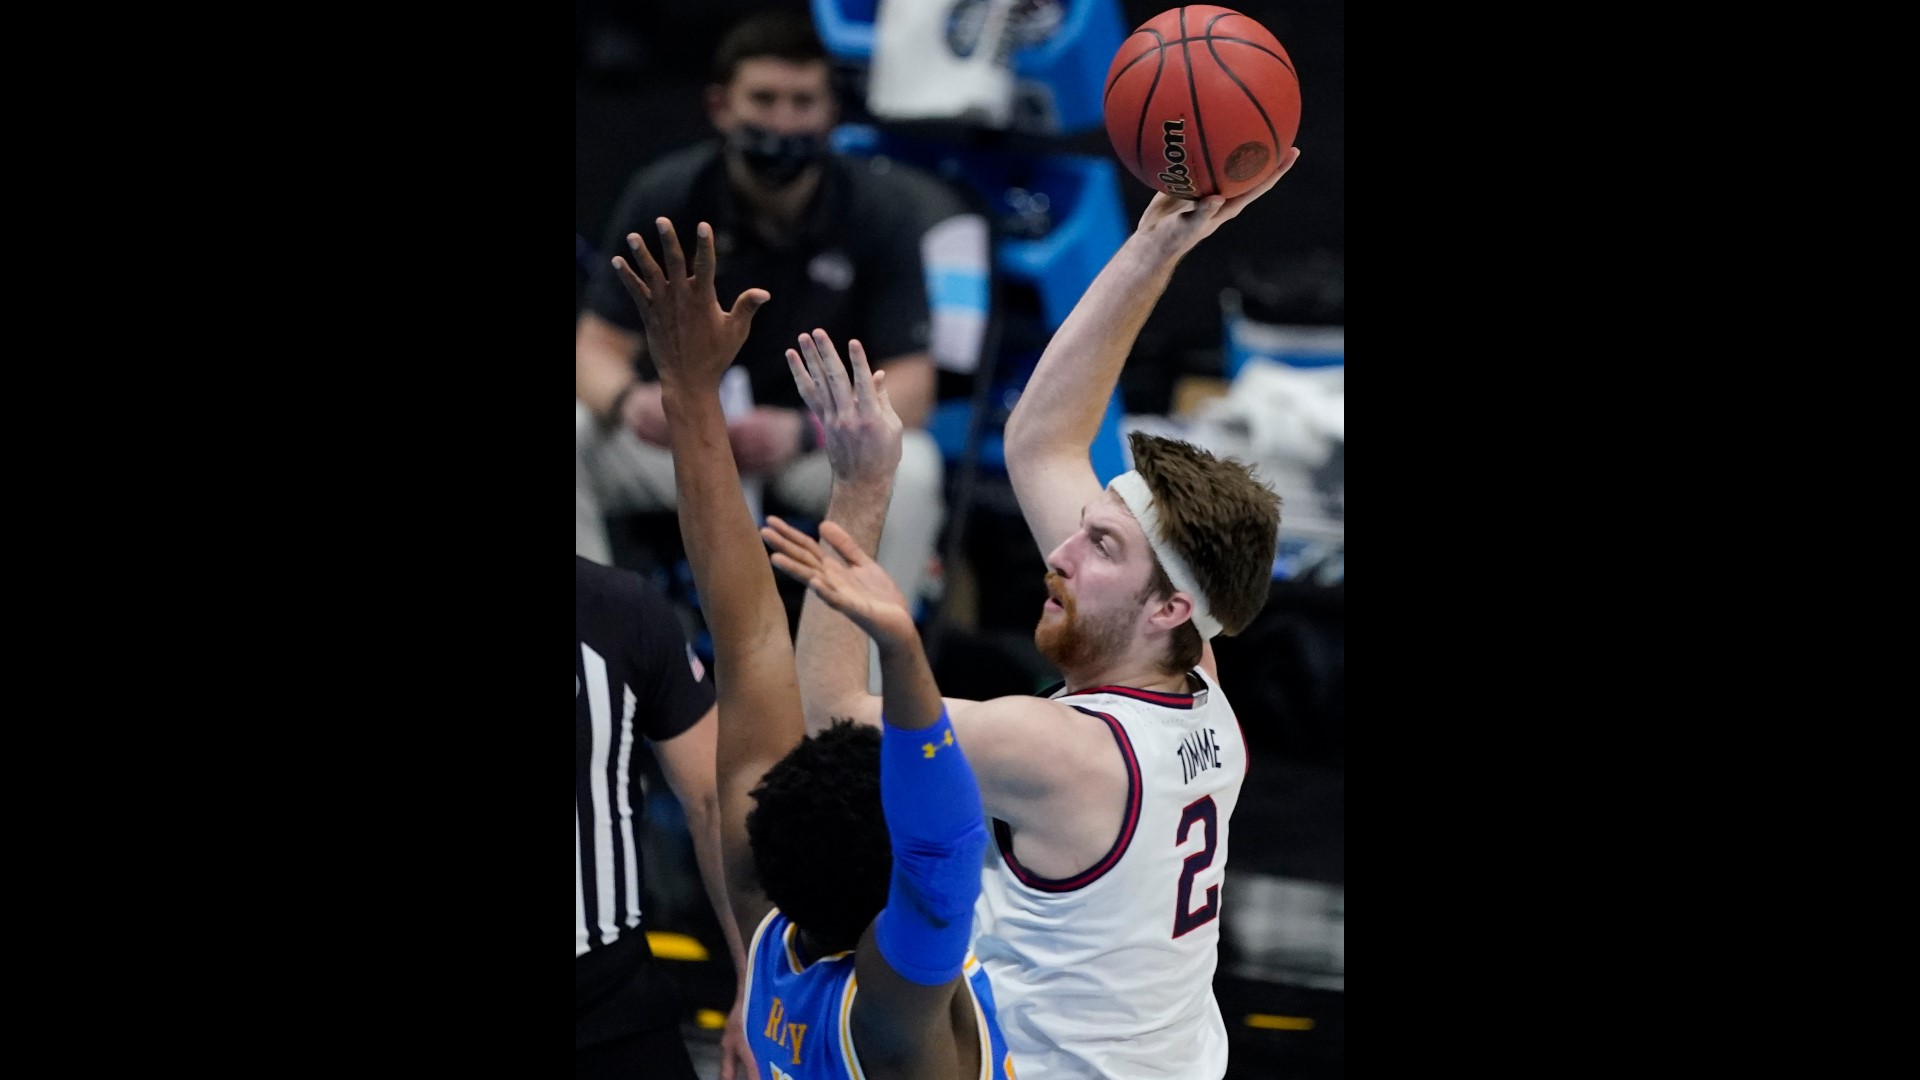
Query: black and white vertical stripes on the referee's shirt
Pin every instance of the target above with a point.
(606, 850)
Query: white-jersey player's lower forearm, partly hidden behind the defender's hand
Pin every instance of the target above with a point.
(832, 650)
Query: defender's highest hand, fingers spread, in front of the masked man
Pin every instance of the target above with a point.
(688, 335)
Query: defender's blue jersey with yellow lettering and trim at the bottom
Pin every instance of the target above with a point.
(798, 1018)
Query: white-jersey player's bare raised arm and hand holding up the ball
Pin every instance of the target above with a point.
(1059, 414)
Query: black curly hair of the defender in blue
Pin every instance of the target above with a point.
(819, 835)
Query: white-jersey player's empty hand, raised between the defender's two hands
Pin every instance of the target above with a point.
(859, 426)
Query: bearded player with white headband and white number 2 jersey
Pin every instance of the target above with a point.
(1111, 802)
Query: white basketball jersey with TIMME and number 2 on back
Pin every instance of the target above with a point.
(1111, 973)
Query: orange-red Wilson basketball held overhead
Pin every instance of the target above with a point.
(1201, 101)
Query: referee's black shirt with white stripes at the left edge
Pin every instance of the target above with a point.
(635, 677)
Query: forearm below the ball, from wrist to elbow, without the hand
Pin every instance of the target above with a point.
(1065, 401)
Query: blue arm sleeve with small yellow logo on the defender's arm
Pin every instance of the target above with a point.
(938, 831)
